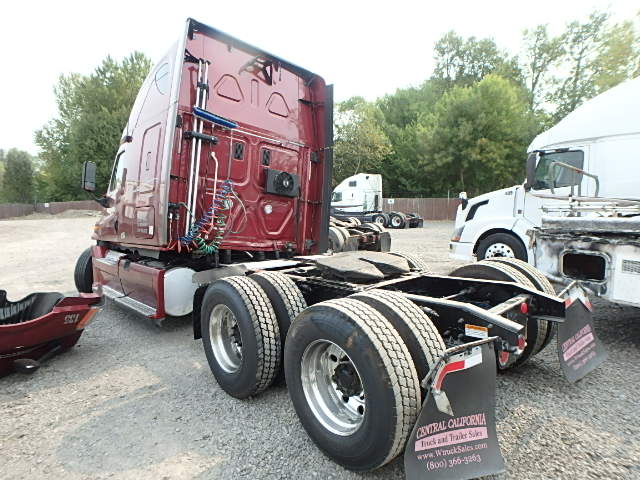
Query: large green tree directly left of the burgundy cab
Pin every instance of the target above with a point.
(92, 112)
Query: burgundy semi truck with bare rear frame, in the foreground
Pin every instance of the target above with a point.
(218, 208)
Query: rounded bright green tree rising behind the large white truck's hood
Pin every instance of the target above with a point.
(476, 137)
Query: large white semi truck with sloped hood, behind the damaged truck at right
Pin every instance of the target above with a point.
(602, 136)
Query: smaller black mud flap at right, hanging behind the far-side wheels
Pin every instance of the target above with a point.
(579, 350)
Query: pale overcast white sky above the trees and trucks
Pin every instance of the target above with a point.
(366, 48)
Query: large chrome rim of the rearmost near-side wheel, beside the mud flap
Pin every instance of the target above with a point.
(333, 387)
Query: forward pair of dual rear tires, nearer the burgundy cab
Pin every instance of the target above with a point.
(244, 323)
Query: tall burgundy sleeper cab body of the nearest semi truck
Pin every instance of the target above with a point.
(279, 108)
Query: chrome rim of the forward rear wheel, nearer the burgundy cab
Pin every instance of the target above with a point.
(226, 341)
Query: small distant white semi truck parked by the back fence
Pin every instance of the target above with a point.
(359, 197)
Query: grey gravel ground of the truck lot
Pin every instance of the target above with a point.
(135, 401)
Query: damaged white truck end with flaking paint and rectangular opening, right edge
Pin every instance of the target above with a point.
(594, 241)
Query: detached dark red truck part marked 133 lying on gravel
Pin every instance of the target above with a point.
(60, 328)
